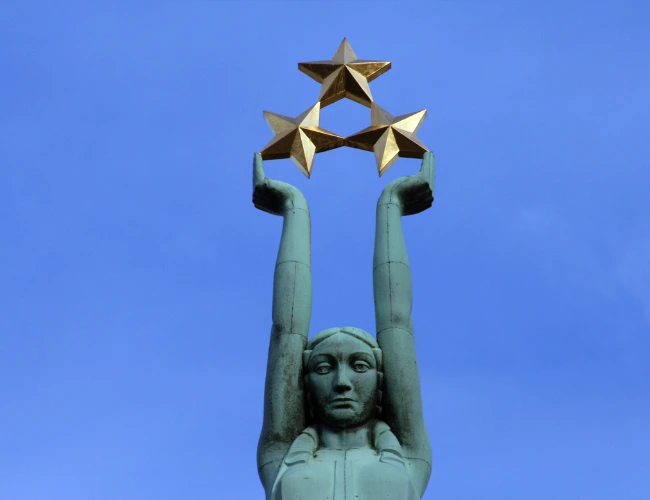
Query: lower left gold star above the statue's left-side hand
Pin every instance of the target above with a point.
(299, 138)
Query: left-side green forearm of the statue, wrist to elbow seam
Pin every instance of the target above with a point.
(292, 286)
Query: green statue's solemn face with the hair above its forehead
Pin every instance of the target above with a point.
(342, 382)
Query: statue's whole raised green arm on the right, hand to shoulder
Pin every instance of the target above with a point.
(393, 301)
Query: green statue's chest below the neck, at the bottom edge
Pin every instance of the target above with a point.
(346, 475)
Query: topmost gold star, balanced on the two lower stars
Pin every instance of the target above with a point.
(345, 76)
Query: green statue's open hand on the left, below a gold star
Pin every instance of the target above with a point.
(274, 197)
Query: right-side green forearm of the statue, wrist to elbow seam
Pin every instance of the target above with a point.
(391, 270)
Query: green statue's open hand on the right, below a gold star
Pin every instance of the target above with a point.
(413, 193)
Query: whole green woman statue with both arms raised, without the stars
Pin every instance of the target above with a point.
(343, 412)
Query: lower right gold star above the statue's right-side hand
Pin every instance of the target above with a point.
(390, 137)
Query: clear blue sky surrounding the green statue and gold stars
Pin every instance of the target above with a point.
(136, 274)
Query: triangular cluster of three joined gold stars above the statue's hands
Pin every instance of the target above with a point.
(345, 75)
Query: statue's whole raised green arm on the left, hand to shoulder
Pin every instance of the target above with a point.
(284, 417)
